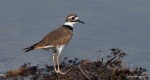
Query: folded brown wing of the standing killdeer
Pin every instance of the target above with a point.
(60, 36)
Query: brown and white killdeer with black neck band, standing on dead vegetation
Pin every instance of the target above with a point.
(57, 39)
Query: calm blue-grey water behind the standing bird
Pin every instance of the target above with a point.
(109, 24)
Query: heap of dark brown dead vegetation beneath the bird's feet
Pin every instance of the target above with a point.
(113, 68)
